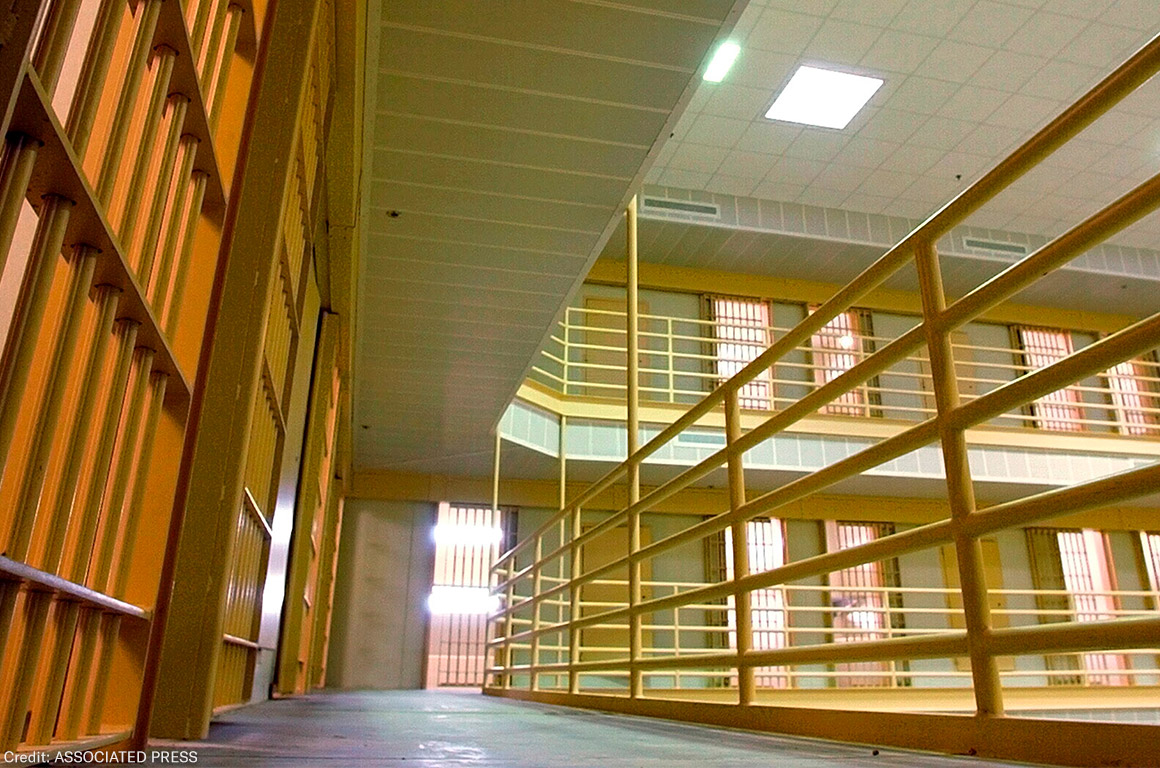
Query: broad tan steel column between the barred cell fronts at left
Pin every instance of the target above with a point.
(186, 642)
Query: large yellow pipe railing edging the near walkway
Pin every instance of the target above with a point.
(560, 545)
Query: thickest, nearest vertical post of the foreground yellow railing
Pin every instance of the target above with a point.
(960, 489)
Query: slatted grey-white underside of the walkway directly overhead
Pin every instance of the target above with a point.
(507, 136)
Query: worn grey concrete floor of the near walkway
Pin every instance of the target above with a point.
(429, 729)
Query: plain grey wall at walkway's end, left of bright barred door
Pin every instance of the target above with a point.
(379, 635)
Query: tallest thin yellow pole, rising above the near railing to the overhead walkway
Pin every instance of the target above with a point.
(636, 682)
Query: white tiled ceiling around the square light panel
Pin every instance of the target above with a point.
(966, 83)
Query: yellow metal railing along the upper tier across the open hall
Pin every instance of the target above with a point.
(683, 359)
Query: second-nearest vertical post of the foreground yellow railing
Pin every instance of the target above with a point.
(746, 677)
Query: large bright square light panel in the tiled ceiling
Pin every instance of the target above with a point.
(823, 98)
